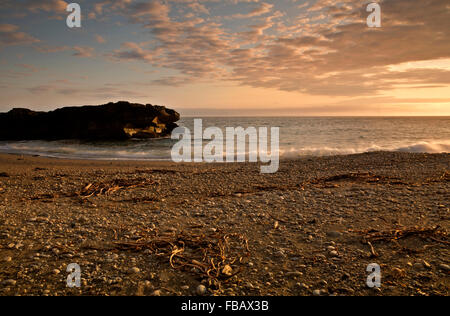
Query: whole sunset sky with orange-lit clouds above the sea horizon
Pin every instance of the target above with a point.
(229, 57)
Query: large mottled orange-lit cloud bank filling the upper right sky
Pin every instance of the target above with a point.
(340, 56)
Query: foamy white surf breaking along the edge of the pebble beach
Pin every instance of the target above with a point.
(161, 150)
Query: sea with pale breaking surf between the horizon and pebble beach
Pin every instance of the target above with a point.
(299, 137)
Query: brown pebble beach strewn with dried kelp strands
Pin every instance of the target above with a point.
(312, 228)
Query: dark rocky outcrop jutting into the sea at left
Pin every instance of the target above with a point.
(112, 121)
